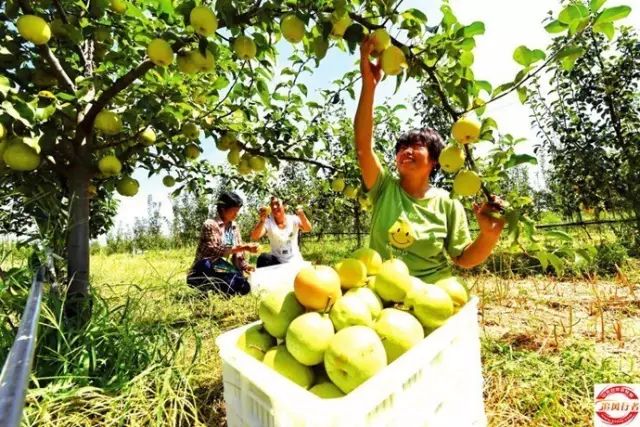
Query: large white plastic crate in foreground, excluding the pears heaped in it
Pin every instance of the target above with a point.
(437, 383)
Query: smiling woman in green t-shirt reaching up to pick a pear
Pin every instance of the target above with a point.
(411, 219)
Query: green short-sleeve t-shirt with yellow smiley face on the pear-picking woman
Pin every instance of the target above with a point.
(423, 229)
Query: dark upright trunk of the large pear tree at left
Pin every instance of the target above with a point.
(78, 229)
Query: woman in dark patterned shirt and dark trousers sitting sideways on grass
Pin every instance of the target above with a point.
(219, 240)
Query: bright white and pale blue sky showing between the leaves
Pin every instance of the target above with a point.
(508, 23)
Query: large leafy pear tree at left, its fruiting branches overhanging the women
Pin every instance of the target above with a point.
(91, 92)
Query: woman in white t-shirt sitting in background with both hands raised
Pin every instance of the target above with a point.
(282, 231)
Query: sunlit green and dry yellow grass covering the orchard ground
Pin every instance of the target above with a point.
(149, 358)
